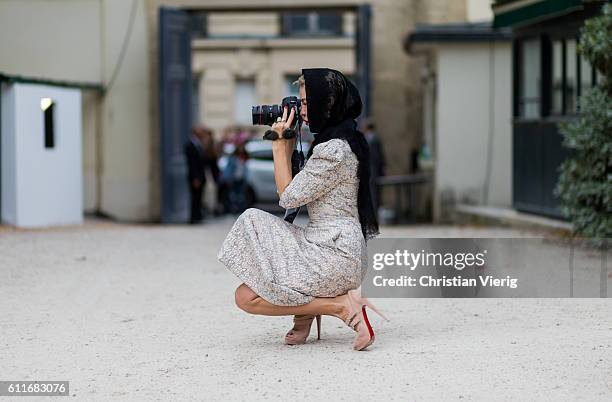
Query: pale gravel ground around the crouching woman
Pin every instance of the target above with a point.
(139, 312)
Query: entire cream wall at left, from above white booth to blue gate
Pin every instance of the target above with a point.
(81, 41)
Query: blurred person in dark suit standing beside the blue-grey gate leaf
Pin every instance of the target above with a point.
(194, 151)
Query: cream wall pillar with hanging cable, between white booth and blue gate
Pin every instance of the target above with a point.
(126, 116)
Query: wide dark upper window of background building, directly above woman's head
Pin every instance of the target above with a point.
(312, 24)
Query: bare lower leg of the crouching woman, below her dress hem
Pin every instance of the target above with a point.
(250, 302)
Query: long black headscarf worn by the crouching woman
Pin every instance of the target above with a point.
(333, 105)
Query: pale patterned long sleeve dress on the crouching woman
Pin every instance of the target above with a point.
(288, 265)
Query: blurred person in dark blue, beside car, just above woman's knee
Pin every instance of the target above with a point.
(234, 179)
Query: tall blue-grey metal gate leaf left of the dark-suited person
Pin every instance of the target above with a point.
(175, 112)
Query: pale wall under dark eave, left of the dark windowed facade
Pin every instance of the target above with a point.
(473, 108)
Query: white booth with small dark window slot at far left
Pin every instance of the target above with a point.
(41, 186)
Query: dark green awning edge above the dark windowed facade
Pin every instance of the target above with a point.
(523, 12)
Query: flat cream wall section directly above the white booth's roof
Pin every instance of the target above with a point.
(57, 39)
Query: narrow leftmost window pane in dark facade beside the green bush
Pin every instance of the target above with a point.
(529, 97)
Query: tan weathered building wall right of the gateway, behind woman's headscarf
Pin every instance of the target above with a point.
(396, 76)
